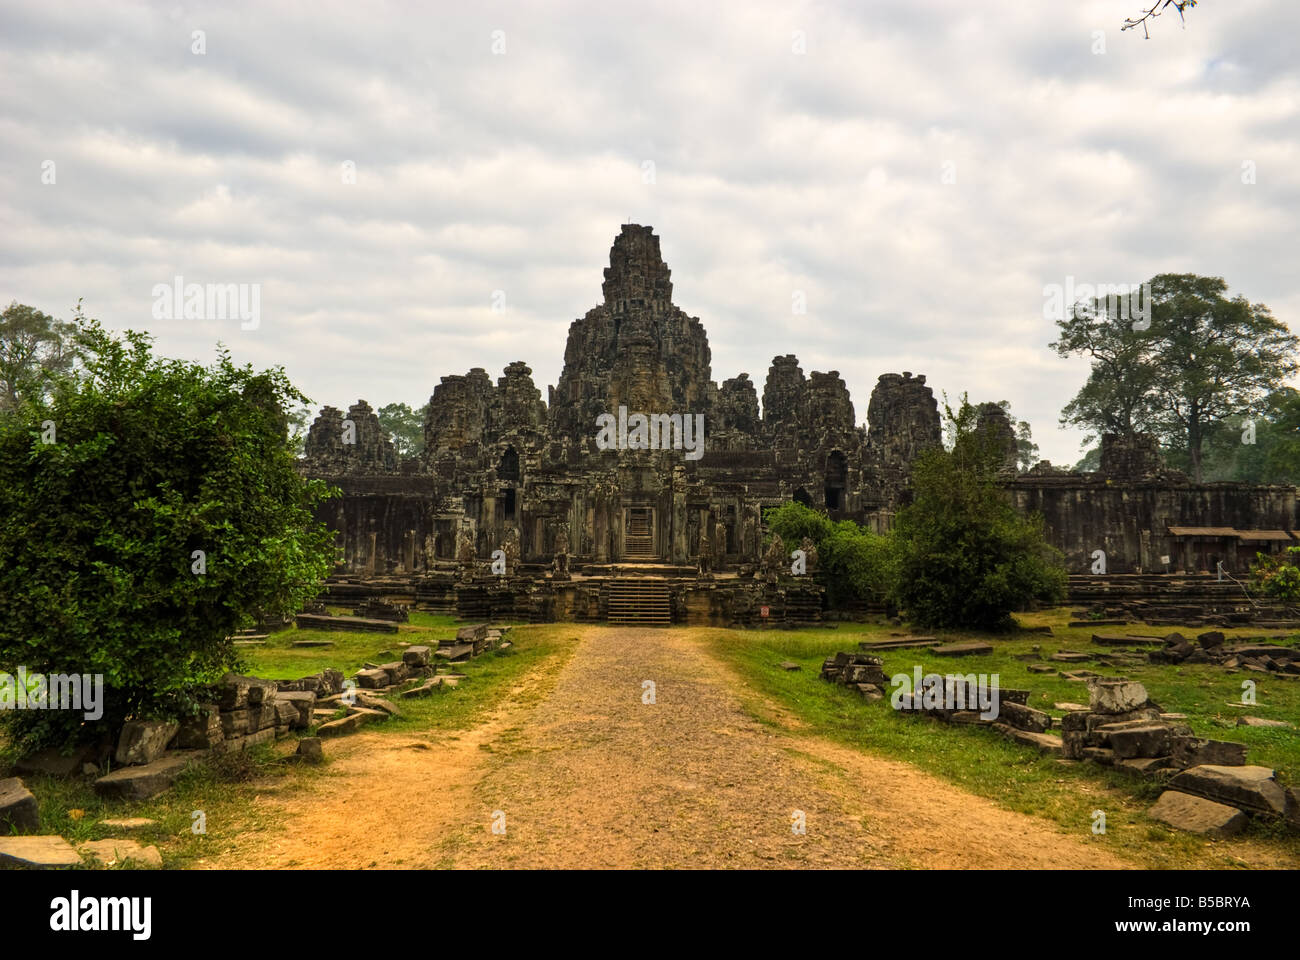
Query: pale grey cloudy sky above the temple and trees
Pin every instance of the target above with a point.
(918, 171)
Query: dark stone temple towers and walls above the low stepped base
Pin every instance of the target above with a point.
(502, 466)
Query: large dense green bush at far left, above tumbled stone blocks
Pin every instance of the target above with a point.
(151, 461)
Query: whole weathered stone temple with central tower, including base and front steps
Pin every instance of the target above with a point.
(590, 531)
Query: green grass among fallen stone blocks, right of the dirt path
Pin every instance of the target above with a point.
(1012, 776)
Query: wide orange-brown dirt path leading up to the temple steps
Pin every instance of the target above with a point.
(595, 777)
